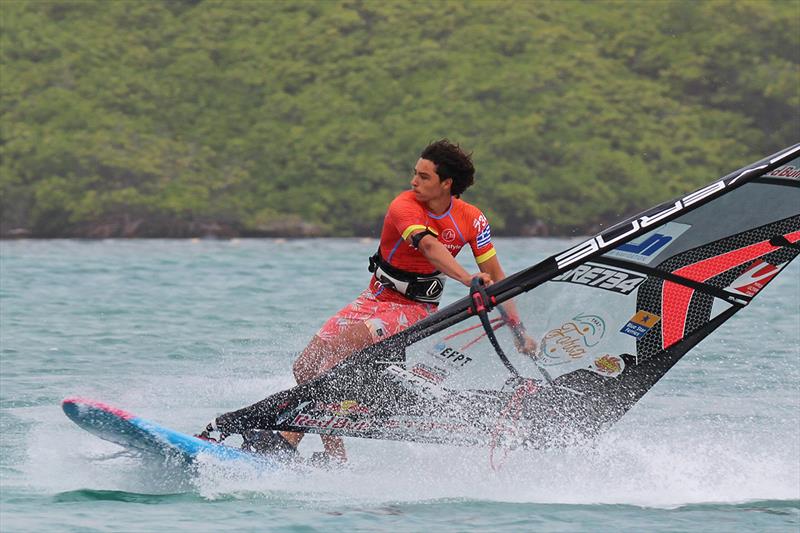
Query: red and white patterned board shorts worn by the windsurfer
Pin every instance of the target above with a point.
(381, 317)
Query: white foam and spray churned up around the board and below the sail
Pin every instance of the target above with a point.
(640, 462)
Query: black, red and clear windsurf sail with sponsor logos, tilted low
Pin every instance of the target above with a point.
(612, 315)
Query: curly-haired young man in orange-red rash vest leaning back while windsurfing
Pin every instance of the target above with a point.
(423, 231)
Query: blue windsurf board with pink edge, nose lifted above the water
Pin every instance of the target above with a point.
(146, 437)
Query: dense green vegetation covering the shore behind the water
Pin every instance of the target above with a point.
(177, 118)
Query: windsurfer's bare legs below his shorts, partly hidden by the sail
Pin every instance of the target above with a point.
(320, 356)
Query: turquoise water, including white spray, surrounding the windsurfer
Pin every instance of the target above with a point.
(178, 331)
